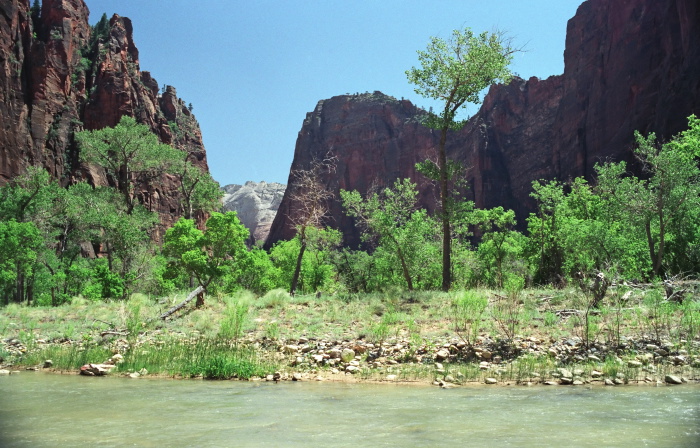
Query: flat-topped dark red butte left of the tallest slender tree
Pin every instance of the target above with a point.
(375, 138)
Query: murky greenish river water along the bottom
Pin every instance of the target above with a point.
(44, 410)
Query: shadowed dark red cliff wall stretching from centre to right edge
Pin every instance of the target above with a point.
(629, 65)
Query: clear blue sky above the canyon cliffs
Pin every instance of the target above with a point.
(253, 69)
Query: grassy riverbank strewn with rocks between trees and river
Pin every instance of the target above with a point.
(533, 336)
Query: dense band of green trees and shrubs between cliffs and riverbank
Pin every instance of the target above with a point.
(58, 243)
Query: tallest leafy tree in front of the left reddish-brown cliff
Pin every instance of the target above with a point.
(130, 154)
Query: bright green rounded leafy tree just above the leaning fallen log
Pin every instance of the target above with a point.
(210, 255)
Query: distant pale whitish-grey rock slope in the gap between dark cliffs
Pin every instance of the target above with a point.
(256, 205)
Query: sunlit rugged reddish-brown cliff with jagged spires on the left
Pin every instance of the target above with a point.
(57, 79)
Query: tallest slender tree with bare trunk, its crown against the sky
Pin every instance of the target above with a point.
(455, 72)
